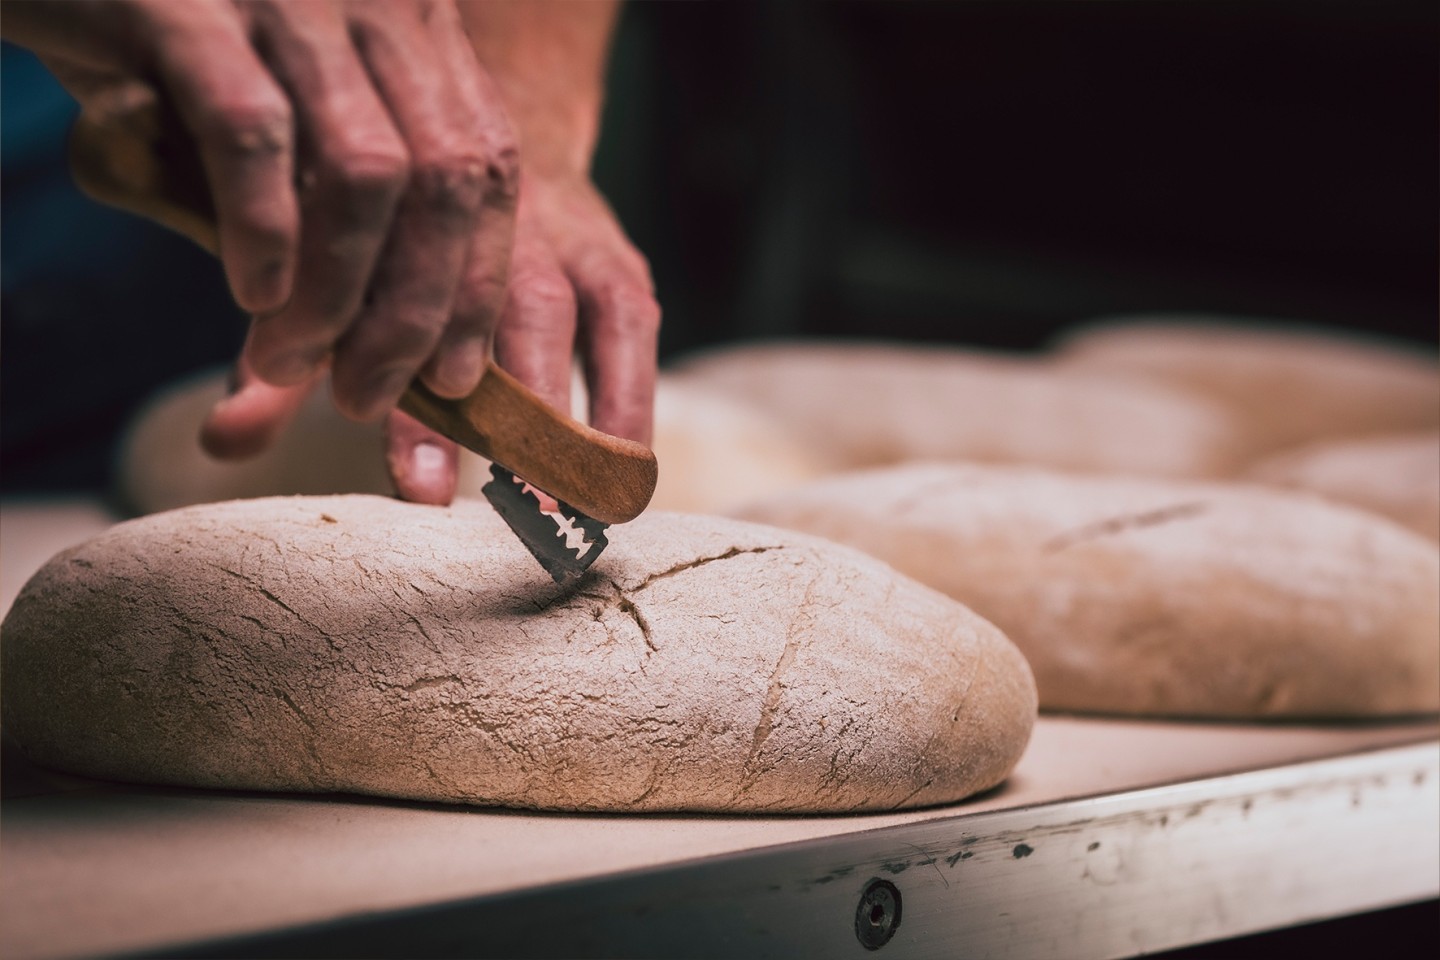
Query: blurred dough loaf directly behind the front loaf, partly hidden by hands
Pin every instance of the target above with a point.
(715, 454)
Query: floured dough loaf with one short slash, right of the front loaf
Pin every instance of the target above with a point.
(1135, 597)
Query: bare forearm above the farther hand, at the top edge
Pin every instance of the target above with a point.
(548, 57)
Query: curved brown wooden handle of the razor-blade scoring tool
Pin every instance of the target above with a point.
(130, 165)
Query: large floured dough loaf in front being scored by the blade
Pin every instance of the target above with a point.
(366, 646)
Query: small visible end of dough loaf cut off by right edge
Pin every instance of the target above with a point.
(1395, 476)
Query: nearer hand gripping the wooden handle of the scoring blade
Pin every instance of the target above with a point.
(390, 257)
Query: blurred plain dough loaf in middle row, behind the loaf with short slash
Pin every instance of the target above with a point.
(869, 404)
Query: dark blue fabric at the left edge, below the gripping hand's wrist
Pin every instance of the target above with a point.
(99, 307)
